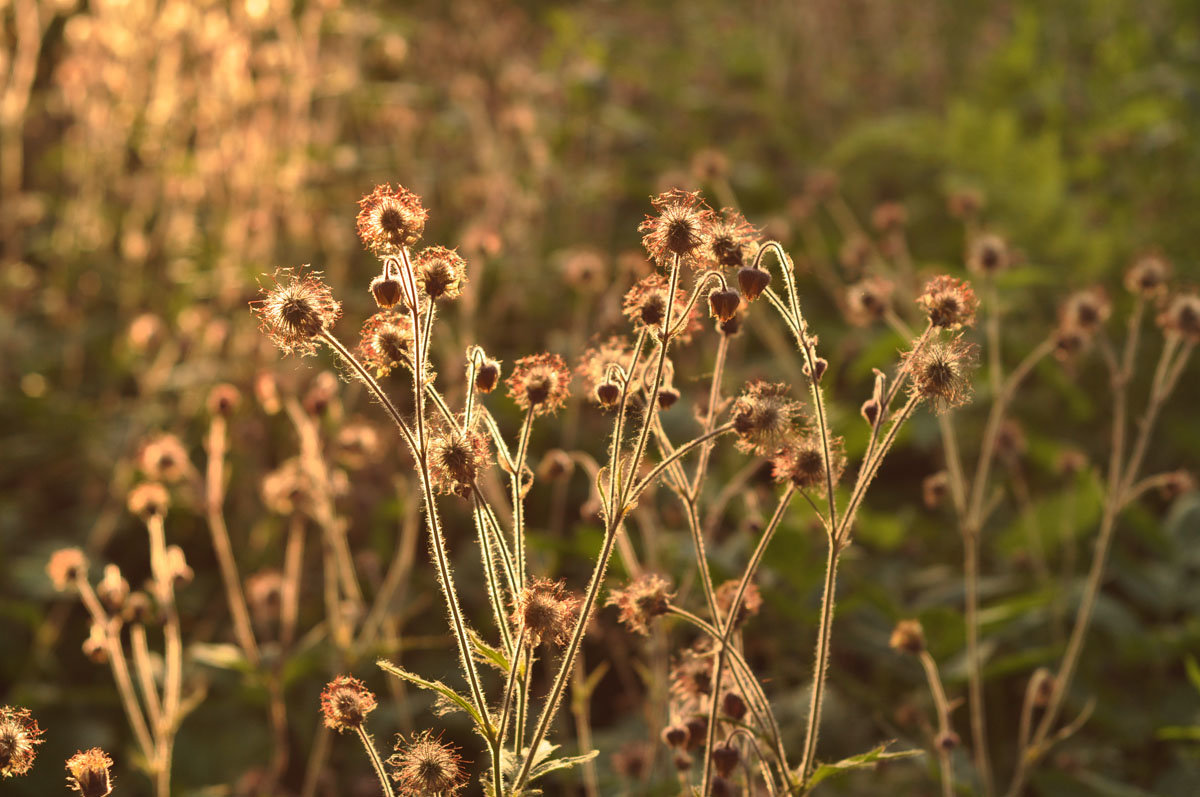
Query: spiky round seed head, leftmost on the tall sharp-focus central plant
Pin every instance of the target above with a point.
(296, 309)
